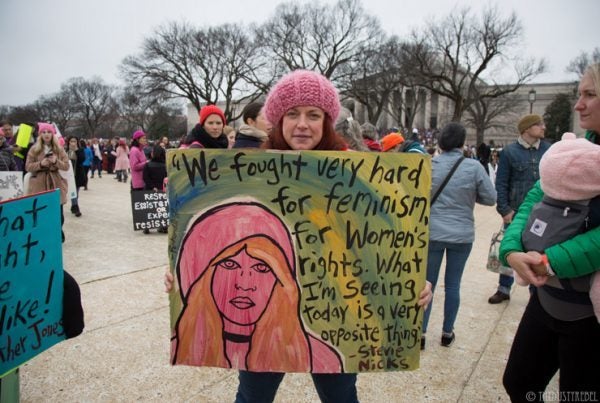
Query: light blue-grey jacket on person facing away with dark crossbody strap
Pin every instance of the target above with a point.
(451, 217)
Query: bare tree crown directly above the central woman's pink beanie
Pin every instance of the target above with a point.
(318, 37)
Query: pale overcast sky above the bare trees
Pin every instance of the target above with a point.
(45, 42)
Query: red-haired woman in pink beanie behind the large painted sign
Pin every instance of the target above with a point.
(303, 107)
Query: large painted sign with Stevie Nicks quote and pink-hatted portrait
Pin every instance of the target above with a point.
(297, 261)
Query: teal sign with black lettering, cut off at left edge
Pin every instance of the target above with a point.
(31, 281)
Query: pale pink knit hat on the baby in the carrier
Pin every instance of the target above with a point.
(570, 169)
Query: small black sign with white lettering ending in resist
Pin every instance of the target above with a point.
(150, 209)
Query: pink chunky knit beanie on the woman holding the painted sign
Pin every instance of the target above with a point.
(301, 88)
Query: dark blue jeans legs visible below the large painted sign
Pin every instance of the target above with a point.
(258, 387)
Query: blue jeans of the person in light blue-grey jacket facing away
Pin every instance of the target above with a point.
(456, 258)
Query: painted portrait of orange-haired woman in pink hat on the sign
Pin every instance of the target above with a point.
(236, 272)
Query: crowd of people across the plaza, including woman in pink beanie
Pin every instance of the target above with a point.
(302, 112)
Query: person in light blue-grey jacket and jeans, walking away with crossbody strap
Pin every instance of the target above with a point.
(451, 223)
